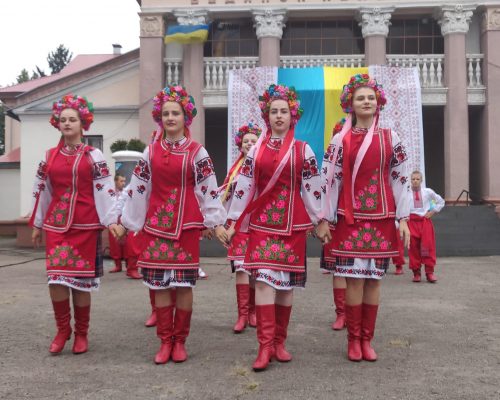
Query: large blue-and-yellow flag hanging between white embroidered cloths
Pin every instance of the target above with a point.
(319, 92)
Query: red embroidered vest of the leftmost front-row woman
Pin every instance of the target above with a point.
(72, 205)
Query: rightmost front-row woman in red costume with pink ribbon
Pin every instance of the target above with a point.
(366, 189)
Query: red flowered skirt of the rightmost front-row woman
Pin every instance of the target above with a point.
(363, 239)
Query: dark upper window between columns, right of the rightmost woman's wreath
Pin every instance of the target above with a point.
(415, 36)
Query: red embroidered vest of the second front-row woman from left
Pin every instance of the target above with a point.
(173, 206)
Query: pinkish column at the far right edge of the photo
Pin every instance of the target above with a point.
(489, 140)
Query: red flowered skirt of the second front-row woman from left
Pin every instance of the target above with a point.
(161, 253)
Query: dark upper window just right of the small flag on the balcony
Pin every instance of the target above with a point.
(231, 38)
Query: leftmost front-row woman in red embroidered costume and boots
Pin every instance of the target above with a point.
(74, 198)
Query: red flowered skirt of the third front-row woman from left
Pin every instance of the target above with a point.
(276, 252)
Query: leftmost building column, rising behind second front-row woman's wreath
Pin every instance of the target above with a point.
(151, 70)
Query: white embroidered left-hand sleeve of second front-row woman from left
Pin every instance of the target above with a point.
(137, 197)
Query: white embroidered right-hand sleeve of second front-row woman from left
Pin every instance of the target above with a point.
(207, 191)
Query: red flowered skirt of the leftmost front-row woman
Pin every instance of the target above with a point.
(72, 253)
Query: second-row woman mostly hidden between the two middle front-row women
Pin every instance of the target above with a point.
(245, 138)
